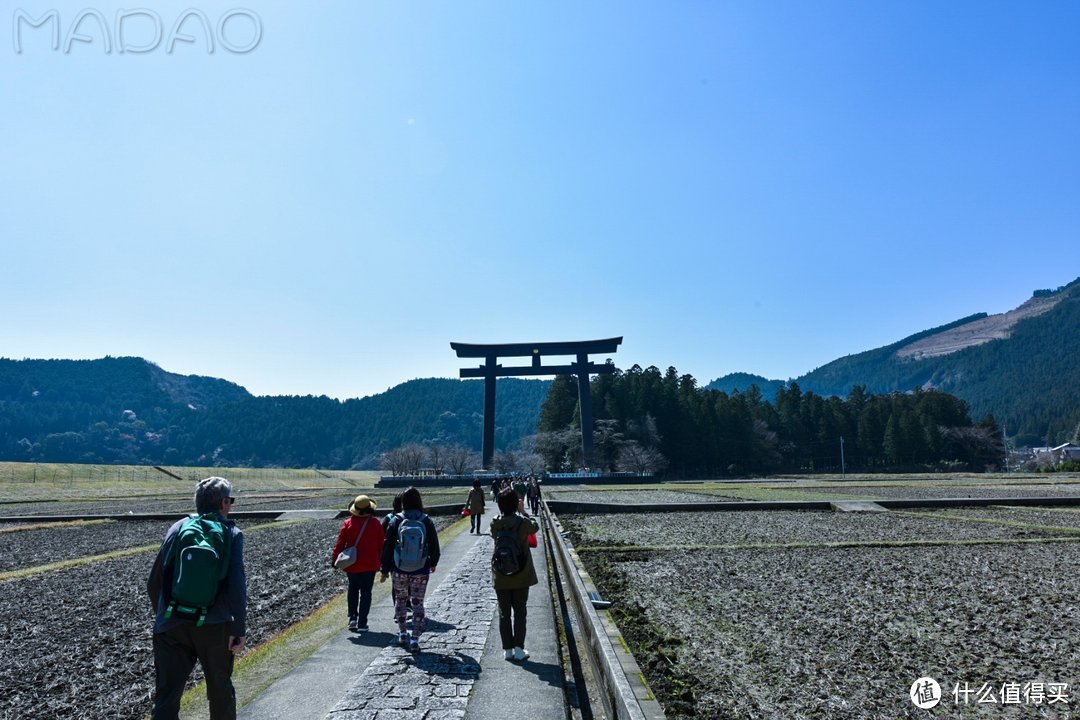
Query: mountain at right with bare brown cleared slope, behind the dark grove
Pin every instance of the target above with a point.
(1022, 366)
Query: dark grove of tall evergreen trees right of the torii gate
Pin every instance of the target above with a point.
(649, 420)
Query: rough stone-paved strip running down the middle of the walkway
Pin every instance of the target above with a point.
(435, 684)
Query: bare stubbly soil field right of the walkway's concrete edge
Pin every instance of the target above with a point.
(835, 633)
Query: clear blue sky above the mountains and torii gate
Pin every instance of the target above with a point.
(749, 186)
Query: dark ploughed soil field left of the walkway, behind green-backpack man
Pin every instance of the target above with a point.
(77, 644)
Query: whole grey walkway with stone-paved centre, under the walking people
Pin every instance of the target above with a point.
(460, 672)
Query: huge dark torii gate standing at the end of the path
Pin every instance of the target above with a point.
(582, 368)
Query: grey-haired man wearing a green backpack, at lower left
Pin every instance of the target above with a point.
(199, 591)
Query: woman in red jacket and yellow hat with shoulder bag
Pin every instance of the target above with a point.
(362, 532)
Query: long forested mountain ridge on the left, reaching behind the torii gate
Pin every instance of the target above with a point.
(129, 411)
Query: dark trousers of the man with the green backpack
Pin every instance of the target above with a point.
(175, 653)
